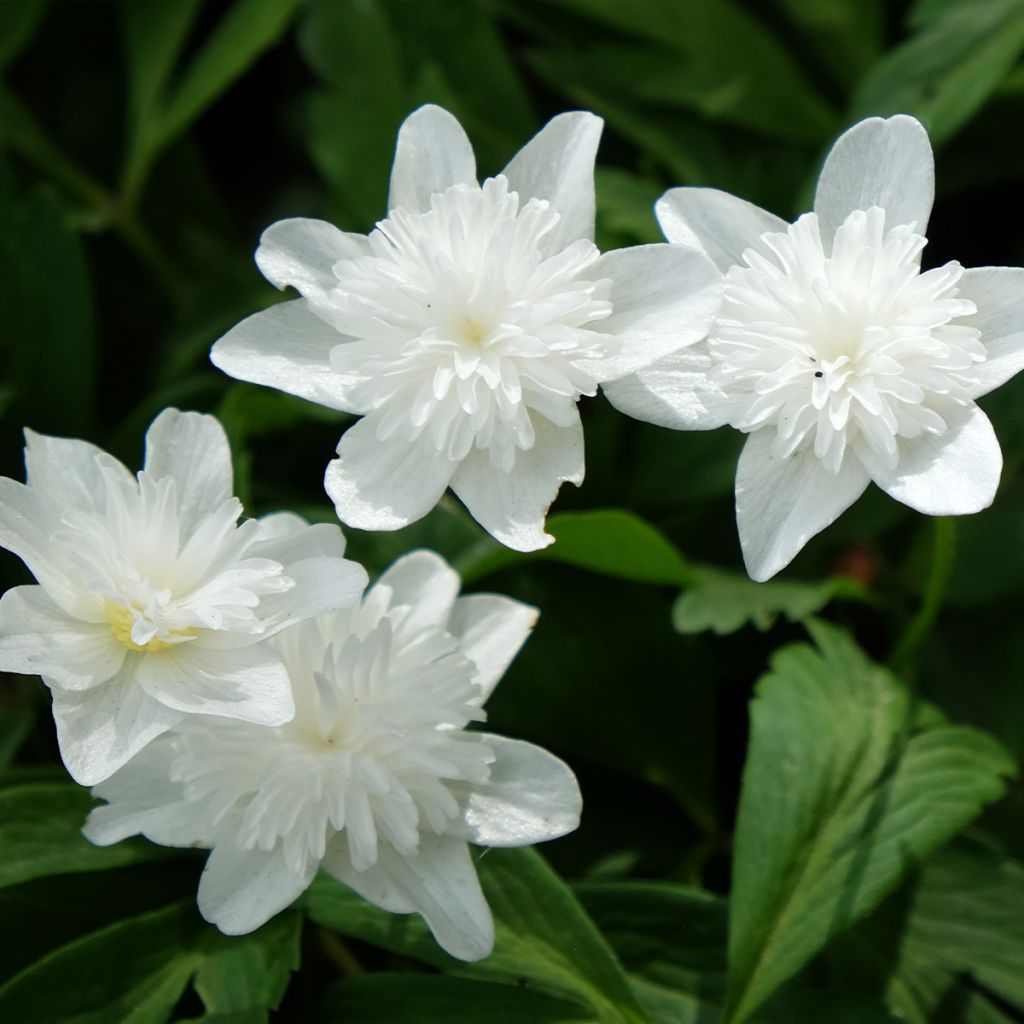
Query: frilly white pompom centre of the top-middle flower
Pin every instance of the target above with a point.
(465, 322)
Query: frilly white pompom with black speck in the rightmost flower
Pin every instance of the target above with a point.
(849, 351)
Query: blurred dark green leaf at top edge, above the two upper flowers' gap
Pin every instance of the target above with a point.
(711, 56)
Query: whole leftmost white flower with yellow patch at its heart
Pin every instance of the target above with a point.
(153, 601)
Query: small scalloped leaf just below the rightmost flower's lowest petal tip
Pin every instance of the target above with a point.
(724, 603)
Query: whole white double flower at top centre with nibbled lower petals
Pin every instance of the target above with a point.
(466, 327)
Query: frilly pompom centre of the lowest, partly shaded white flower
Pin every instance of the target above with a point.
(377, 739)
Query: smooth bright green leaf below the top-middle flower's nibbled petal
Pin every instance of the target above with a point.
(613, 542)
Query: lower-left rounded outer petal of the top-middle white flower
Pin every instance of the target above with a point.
(386, 485)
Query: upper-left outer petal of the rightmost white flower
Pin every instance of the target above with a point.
(717, 224)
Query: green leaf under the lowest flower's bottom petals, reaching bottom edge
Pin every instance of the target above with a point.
(543, 934)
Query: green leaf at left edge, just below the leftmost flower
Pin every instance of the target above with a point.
(40, 834)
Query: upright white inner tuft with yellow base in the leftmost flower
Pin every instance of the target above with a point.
(158, 589)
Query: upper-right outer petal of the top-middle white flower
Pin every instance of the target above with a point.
(558, 165)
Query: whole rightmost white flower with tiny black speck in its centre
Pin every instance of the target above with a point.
(842, 359)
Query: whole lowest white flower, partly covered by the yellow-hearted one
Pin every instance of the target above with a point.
(376, 780)
